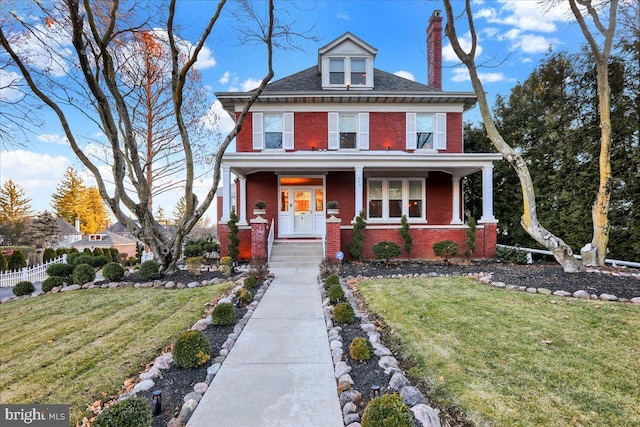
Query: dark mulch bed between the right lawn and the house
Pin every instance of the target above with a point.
(550, 276)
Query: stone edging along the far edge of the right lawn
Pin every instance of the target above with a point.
(485, 278)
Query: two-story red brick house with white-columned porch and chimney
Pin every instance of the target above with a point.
(372, 141)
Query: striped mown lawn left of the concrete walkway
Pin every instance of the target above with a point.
(78, 347)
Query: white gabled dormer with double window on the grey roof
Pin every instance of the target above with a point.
(347, 63)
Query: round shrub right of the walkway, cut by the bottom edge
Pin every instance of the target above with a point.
(387, 410)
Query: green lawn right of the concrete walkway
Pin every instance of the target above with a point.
(515, 359)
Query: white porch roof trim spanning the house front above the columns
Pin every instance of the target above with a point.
(460, 165)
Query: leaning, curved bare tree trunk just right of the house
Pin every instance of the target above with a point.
(529, 220)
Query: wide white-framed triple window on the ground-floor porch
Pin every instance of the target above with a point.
(390, 198)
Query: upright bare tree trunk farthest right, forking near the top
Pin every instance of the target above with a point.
(600, 54)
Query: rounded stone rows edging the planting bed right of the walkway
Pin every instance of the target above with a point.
(426, 415)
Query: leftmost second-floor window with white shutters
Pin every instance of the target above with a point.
(272, 131)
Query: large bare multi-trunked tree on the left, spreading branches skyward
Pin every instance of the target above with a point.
(94, 32)
